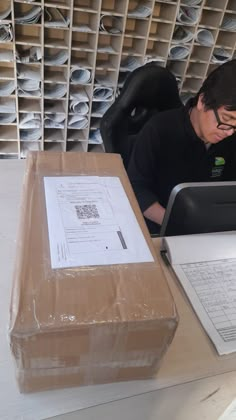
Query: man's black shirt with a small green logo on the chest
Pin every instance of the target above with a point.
(168, 152)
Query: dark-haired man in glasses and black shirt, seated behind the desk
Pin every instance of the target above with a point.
(193, 143)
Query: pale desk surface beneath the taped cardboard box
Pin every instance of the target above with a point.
(190, 359)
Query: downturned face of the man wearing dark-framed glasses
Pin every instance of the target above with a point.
(208, 121)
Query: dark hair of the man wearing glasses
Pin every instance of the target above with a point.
(219, 88)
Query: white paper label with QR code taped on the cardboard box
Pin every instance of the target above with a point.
(91, 222)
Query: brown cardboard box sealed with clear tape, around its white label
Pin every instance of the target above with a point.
(83, 325)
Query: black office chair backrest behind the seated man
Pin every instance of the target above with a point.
(147, 90)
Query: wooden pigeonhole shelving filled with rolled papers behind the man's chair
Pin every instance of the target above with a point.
(63, 75)
